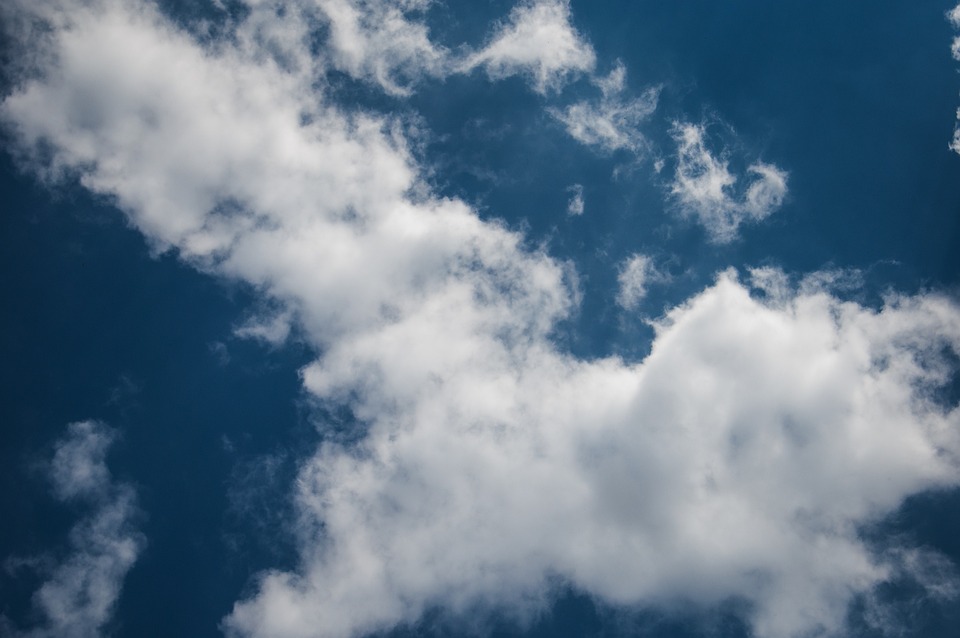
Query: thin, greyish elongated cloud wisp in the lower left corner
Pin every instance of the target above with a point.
(78, 595)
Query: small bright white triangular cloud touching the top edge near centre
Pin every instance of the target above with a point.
(537, 41)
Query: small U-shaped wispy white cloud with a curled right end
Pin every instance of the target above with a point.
(704, 187)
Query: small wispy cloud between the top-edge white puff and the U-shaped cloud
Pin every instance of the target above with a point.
(612, 122)
